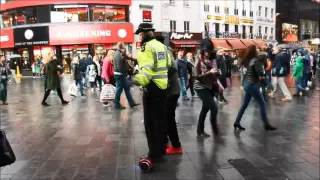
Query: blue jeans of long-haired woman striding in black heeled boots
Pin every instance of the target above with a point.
(252, 90)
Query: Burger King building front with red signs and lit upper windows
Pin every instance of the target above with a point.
(34, 28)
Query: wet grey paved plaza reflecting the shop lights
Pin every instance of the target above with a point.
(85, 141)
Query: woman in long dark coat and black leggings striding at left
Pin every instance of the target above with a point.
(52, 80)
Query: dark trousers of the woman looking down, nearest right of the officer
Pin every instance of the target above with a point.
(208, 104)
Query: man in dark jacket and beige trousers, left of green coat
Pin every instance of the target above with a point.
(280, 70)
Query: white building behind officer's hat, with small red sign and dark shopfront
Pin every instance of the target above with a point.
(177, 20)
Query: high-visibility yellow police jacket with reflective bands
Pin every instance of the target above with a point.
(153, 60)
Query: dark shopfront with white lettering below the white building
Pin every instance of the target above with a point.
(188, 42)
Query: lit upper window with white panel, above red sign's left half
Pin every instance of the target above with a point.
(69, 13)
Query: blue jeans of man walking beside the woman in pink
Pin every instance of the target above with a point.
(122, 84)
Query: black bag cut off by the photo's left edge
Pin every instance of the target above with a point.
(7, 156)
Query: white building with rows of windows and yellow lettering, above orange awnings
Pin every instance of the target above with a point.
(238, 19)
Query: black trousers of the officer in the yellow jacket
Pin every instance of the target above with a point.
(154, 102)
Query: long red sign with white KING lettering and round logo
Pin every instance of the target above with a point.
(90, 34)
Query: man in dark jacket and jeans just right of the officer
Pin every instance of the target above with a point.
(183, 74)
